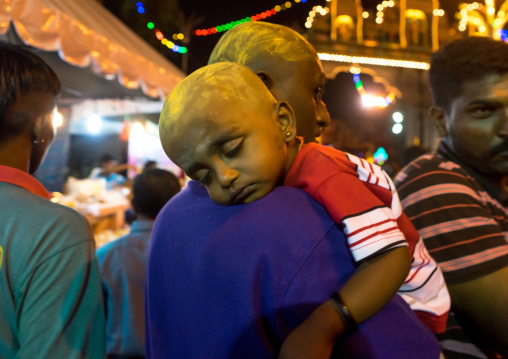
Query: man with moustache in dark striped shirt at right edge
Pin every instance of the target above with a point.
(456, 197)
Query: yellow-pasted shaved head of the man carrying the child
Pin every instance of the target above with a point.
(288, 65)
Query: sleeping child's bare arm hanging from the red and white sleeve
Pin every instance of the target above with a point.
(367, 291)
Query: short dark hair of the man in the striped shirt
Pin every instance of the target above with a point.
(464, 60)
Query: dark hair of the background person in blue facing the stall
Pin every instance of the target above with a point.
(152, 189)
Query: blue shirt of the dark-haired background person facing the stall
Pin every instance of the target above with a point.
(122, 265)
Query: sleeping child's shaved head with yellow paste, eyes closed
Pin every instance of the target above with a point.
(223, 128)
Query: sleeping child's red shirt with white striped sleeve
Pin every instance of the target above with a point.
(362, 197)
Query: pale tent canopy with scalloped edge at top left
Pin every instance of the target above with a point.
(85, 34)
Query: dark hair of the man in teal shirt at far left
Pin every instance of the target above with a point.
(21, 72)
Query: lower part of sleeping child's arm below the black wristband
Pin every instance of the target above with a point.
(315, 337)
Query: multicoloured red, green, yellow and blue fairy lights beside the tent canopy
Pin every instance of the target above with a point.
(214, 29)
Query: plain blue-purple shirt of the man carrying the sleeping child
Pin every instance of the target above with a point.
(233, 281)
